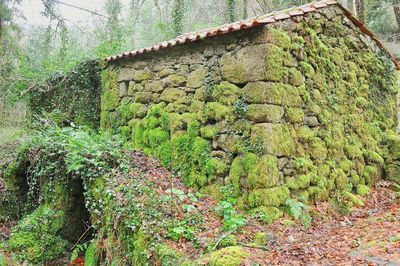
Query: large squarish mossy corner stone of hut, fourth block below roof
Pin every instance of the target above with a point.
(273, 139)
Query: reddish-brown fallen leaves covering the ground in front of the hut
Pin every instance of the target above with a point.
(369, 235)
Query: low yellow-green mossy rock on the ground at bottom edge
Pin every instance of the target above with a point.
(230, 256)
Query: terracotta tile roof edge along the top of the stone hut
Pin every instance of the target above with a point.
(250, 23)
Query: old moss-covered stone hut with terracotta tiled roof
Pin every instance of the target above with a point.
(299, 103)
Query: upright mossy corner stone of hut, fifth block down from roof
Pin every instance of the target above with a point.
(264, 173)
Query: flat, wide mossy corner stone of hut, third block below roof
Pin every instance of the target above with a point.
(262, 113)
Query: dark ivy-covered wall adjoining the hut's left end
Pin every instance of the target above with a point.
(71, 97)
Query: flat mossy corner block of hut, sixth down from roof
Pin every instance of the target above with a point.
(275, 196)
